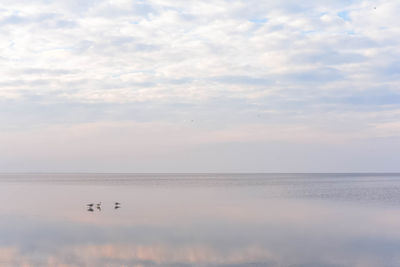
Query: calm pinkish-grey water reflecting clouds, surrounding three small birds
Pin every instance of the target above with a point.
(200, 220)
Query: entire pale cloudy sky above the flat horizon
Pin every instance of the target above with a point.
(199, 86)
